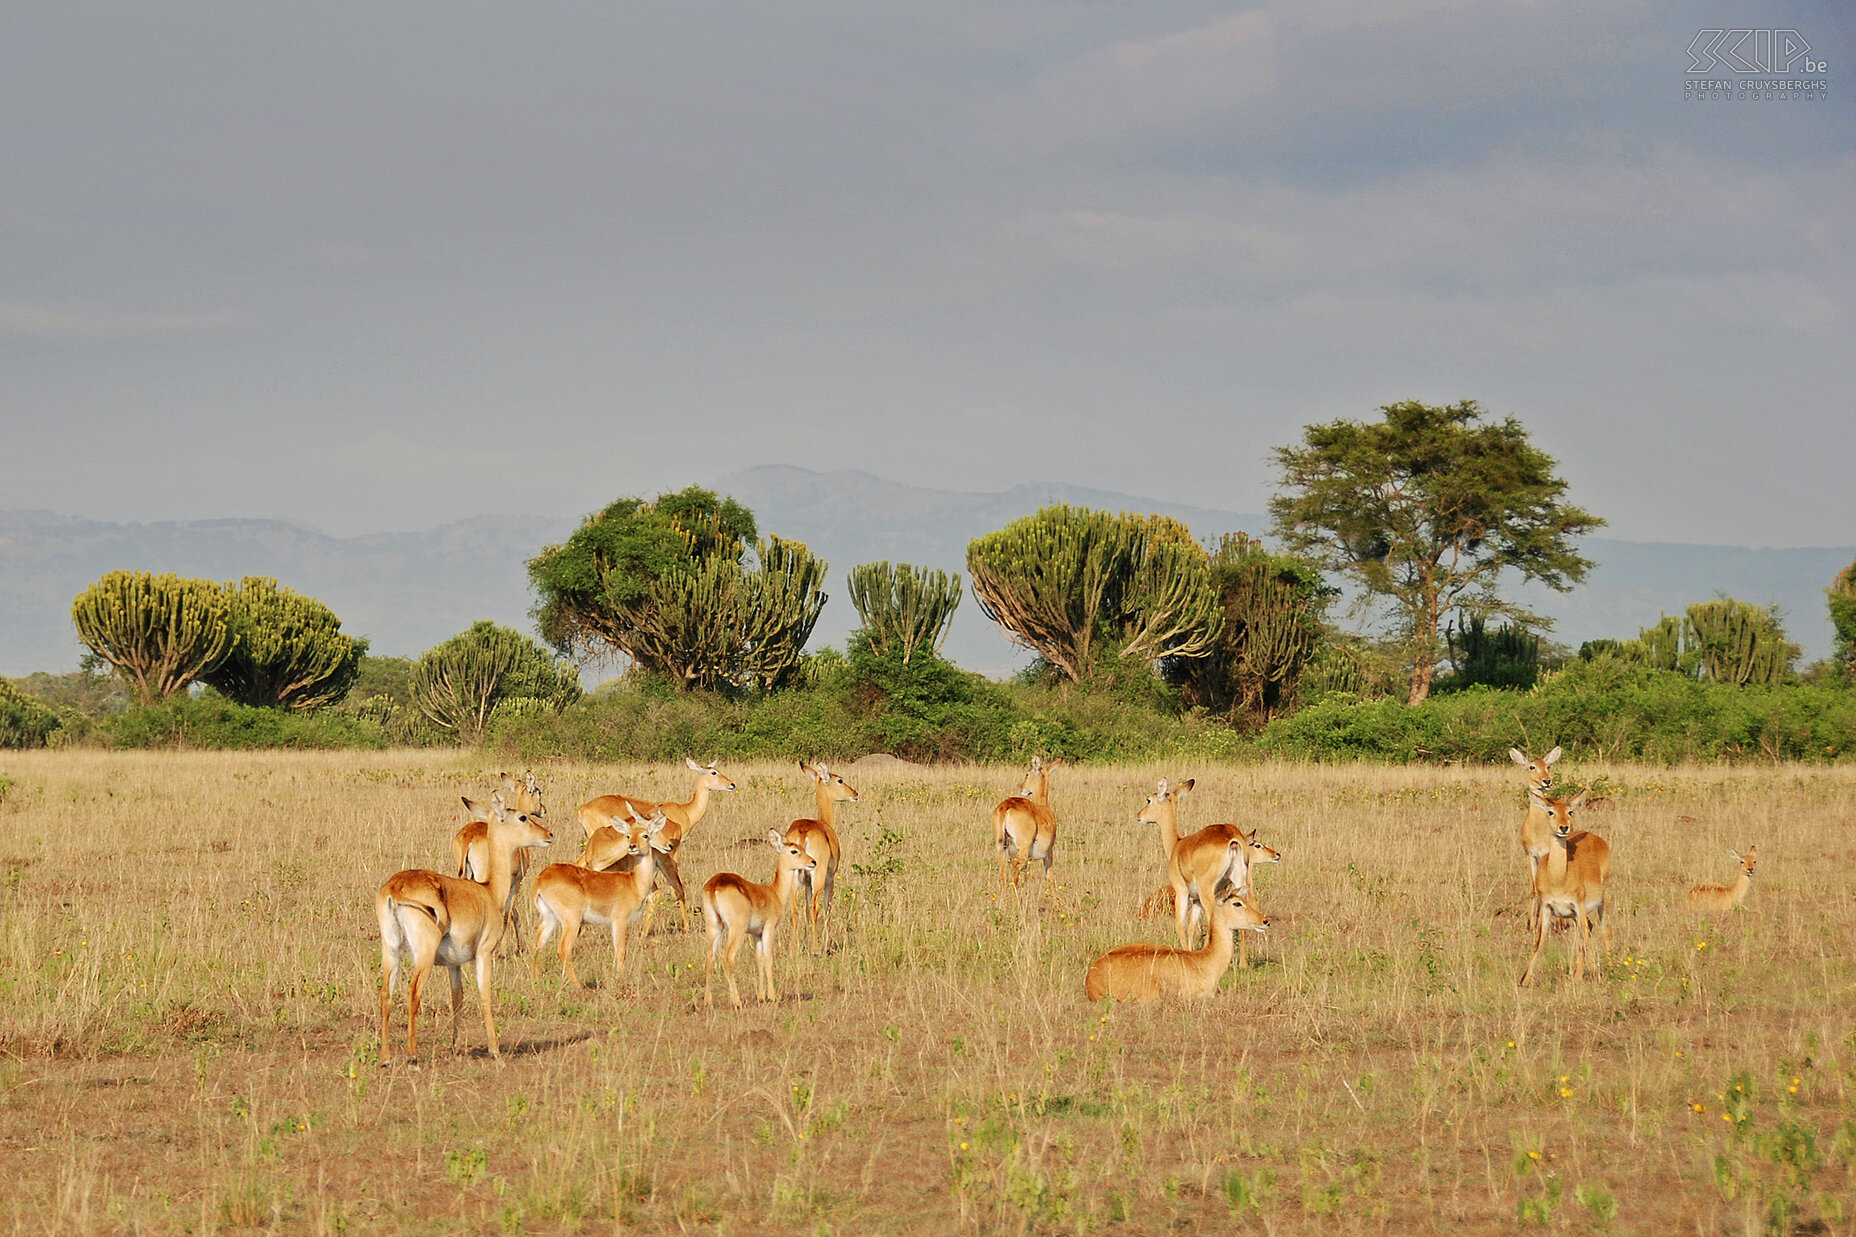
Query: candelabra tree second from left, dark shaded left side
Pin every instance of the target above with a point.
(289, 651)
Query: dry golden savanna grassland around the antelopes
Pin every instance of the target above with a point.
(190, 965)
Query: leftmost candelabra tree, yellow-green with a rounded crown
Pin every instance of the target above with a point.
(161, 632)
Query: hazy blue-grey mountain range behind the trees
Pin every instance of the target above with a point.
(407, 592)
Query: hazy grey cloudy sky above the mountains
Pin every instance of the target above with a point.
(385, 267)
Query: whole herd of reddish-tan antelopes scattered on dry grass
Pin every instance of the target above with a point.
(630, 842)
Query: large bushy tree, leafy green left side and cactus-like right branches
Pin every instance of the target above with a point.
(669, 586)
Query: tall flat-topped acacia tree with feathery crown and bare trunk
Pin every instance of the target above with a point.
(1426, 510)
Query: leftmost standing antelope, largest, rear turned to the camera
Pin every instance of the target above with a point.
(450, 922)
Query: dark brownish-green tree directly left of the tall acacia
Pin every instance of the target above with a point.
(1272, 606)
